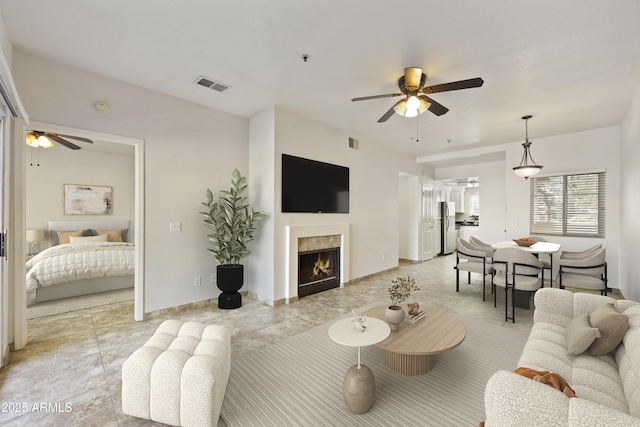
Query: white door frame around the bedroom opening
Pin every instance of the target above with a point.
(138, 220)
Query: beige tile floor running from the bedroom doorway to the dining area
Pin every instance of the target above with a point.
(70, 371)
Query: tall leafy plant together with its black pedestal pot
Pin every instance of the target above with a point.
(232, 222)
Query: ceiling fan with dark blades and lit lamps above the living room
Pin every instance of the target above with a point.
(415, 99)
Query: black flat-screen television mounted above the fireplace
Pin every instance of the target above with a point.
(312, 186)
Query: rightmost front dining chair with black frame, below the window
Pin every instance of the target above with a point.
(589, 272)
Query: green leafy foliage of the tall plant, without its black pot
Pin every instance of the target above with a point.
(231, 220)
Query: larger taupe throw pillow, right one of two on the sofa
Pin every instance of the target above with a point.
(612, 326)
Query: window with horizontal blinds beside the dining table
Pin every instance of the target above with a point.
(569, 205)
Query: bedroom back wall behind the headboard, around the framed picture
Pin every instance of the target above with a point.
(59, 166)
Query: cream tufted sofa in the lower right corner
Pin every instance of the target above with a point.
(607, 386)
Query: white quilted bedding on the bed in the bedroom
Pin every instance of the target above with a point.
(71, 262)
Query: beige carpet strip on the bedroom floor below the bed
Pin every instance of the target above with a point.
(78, 303)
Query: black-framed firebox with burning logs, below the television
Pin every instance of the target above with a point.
(318, 270)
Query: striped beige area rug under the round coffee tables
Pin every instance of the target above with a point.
(298, 382)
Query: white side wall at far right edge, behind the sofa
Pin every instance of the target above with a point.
(630, 201)
